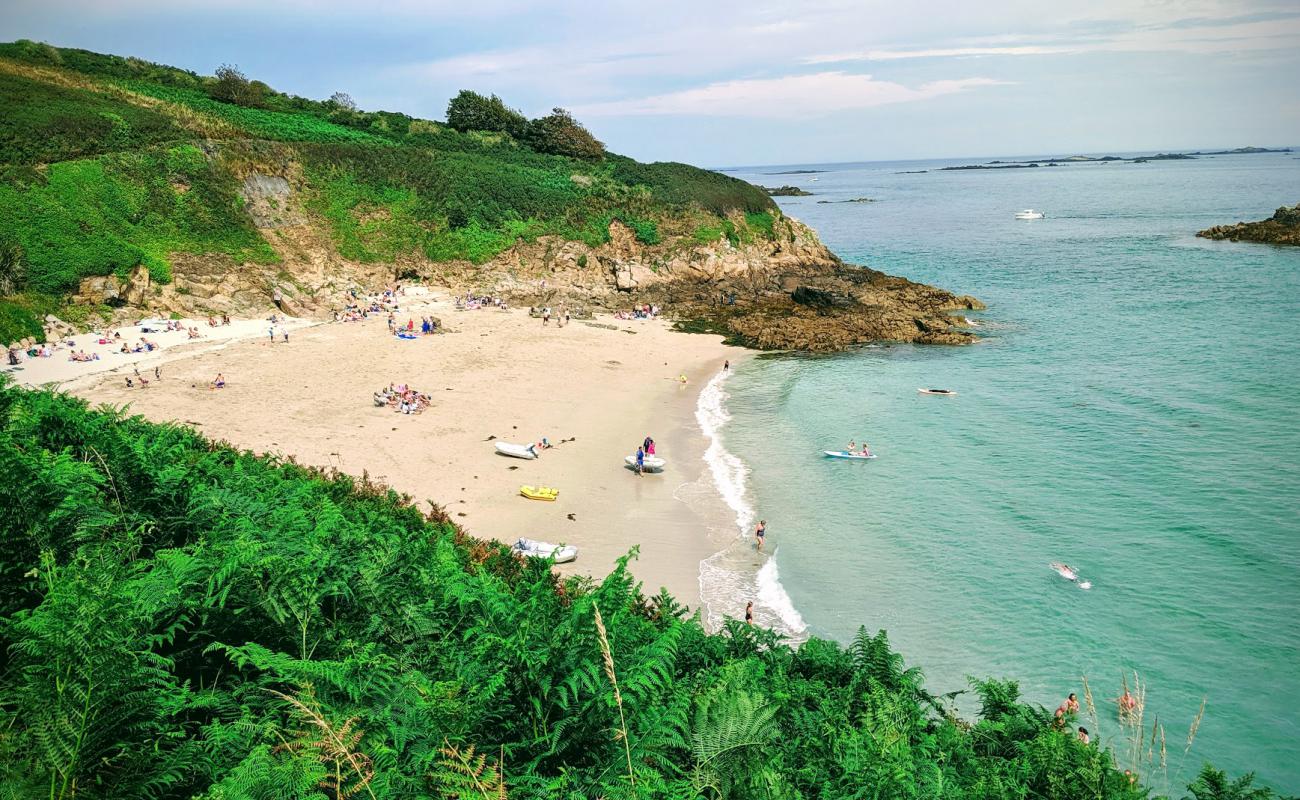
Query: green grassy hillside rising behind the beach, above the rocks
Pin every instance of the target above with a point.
(107, 163)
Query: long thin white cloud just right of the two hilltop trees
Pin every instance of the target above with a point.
(782, 98)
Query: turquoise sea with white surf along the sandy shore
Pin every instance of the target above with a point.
(1132, 412)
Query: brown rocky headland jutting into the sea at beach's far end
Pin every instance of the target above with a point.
(786, 295)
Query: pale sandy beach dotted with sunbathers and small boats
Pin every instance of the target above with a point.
(593, 390)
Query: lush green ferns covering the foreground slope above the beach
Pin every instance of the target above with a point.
(183, 620)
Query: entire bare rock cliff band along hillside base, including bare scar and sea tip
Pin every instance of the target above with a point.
(785, 291)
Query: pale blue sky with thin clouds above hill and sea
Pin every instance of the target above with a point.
(752, 83)
